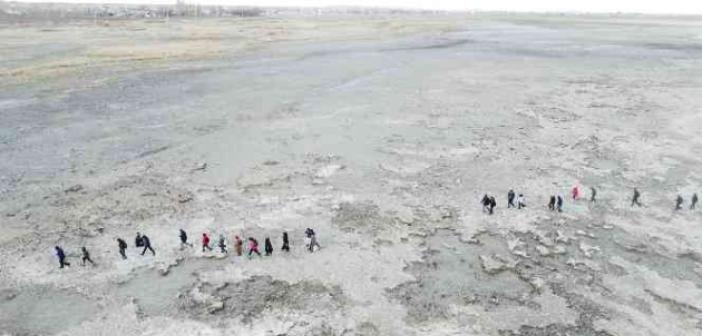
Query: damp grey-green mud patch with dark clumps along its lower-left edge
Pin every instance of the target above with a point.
(452, 273)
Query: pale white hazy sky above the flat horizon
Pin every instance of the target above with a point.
(640, 6)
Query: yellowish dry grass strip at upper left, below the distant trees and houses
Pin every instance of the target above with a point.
(137, 44)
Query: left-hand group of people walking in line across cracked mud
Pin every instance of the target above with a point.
(143, 241)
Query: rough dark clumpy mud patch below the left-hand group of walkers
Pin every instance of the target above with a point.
(249, 298)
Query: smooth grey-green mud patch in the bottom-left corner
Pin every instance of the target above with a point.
(43, 310)
